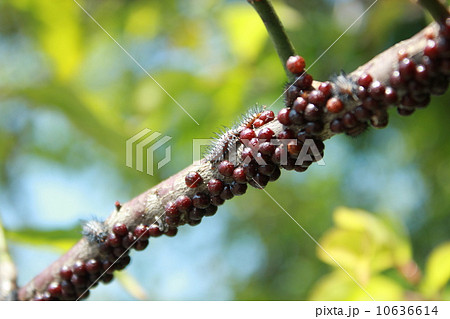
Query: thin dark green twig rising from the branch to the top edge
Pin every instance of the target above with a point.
(276, 31)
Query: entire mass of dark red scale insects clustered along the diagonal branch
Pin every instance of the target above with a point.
(259, 160)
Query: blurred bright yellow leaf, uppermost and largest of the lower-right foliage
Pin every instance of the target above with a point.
(364, 243)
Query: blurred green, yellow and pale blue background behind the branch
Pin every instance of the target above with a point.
(70, 98)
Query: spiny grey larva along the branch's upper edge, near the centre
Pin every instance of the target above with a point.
(225, 144)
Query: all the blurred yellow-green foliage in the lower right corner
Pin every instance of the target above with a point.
(378, 256)
